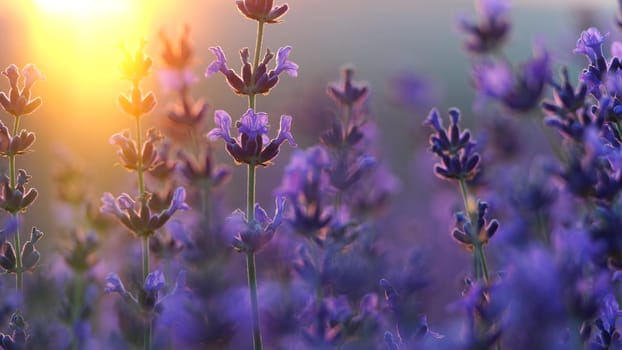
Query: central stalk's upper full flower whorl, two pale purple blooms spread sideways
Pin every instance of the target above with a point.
(253, 80)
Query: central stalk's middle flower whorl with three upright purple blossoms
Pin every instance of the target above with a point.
(252, 146)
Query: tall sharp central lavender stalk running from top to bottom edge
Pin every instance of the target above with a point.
(253, 148)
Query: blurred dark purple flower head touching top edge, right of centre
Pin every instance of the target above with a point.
(491, 29)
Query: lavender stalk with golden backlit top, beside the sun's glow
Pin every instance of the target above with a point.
(140, 156)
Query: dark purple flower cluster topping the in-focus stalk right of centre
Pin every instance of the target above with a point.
(455, 148)
